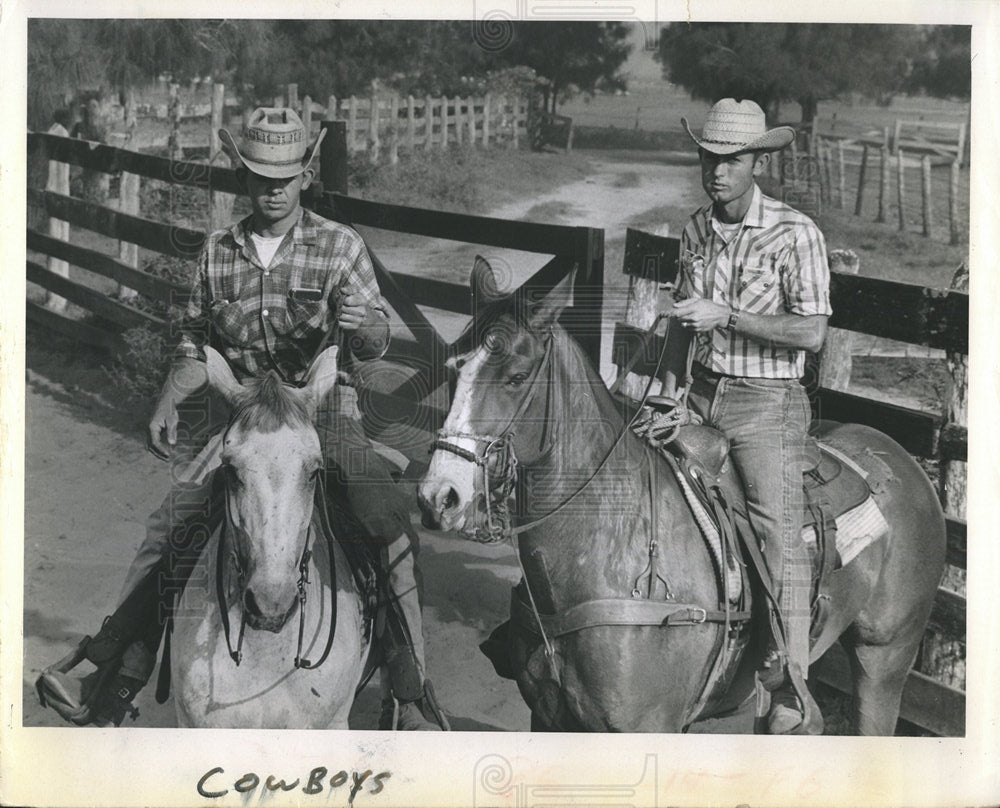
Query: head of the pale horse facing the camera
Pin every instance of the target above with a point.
(271, 459)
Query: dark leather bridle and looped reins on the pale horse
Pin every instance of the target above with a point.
(236, 654)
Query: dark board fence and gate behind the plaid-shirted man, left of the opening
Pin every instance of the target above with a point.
(417, 401)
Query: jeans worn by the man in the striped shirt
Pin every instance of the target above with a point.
(766, 421)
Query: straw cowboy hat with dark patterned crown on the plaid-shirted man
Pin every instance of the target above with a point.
(274, 143)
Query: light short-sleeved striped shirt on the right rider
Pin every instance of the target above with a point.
(775, 264)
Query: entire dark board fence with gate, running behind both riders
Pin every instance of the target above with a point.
(921, 316)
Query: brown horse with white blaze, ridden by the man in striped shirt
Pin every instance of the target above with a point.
(532, 424)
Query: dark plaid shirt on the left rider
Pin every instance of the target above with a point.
(274, 317)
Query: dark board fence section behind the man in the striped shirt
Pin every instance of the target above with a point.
(921, 316)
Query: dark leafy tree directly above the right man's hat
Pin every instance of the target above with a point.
(775, 62)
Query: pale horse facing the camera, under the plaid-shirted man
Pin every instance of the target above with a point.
(241, 632)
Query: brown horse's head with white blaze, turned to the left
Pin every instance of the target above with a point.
(500, 409)
